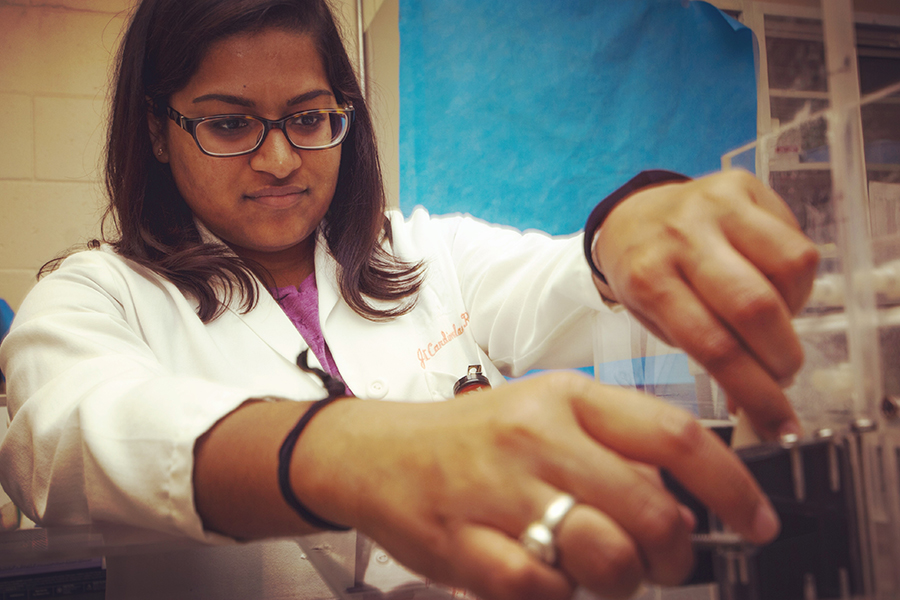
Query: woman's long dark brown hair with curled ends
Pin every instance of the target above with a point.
(162, 49)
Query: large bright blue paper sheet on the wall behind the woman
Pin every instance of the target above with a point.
(528, 112)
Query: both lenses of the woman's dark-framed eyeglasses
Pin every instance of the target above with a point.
(235, 134)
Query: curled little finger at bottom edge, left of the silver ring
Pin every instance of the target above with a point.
(496, 566)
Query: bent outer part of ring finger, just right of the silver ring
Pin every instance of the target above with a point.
(599, 554)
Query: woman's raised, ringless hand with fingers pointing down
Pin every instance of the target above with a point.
(717, 266)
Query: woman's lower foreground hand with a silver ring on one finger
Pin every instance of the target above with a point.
(448, 488)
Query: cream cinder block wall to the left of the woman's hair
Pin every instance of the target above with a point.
(54, 71)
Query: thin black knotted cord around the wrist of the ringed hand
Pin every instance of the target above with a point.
(336, 389)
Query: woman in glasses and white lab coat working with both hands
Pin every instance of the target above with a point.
(154, 380)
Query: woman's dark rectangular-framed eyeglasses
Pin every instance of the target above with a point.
(234, 135)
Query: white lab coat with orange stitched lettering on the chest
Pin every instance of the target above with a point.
(112, 377)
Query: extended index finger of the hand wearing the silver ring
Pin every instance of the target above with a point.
(653, 432)
